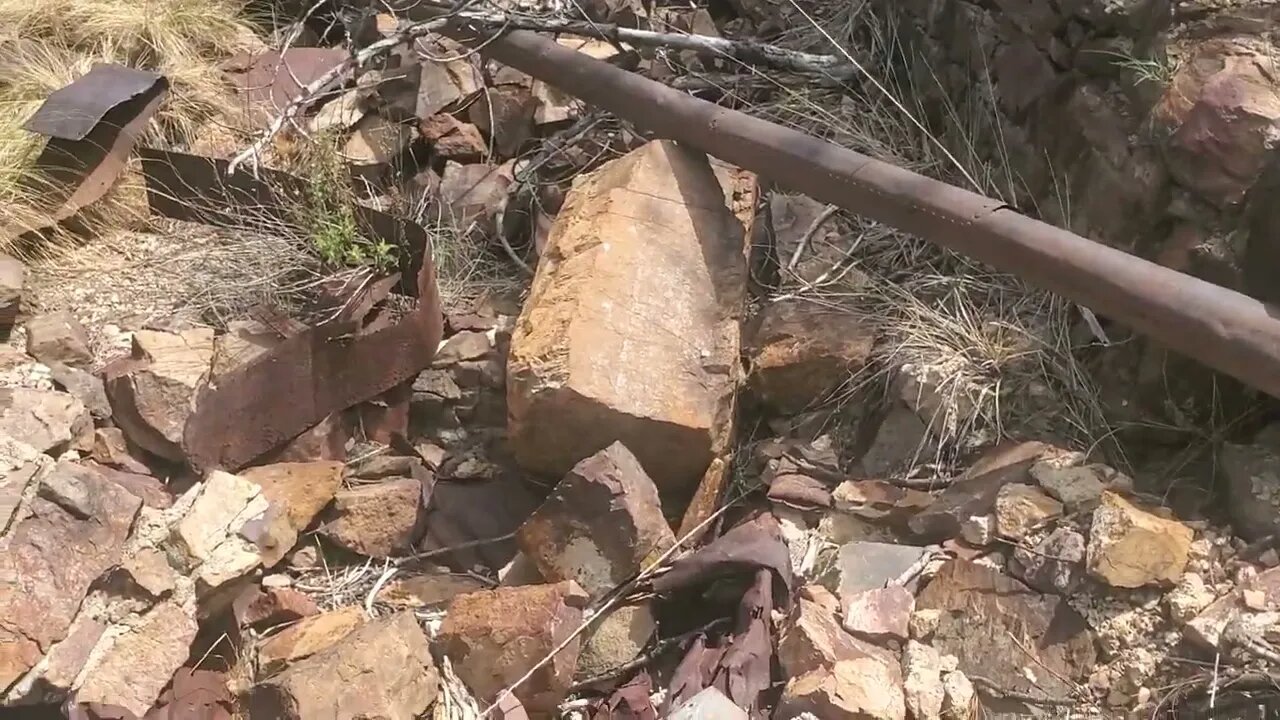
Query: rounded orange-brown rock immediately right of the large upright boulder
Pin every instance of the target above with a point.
(802, 353)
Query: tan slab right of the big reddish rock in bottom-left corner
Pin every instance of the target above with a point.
(138, 664)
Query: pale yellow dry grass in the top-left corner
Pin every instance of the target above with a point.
(47, 44)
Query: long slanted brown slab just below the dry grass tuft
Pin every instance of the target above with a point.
(976, 490)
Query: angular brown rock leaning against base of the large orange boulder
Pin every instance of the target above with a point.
(602, 525)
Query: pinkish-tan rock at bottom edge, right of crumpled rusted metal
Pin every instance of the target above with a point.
(833, 673)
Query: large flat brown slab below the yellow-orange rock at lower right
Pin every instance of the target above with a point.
(1003, 631)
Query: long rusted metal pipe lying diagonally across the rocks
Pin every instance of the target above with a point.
(1224, 330)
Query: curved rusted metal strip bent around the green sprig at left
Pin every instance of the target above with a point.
(258, 408)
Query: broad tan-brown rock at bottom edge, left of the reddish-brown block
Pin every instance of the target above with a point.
(382, 671)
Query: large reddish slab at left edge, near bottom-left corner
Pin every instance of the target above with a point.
(76, 531)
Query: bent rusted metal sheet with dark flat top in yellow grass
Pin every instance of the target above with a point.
(93, 126)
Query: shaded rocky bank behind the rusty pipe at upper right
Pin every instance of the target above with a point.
(1149, 125)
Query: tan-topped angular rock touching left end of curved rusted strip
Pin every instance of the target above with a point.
(152, 394)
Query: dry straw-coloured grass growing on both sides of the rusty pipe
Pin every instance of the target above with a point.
(1002, 354)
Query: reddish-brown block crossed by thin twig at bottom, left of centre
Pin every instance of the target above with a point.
(495, 637)
